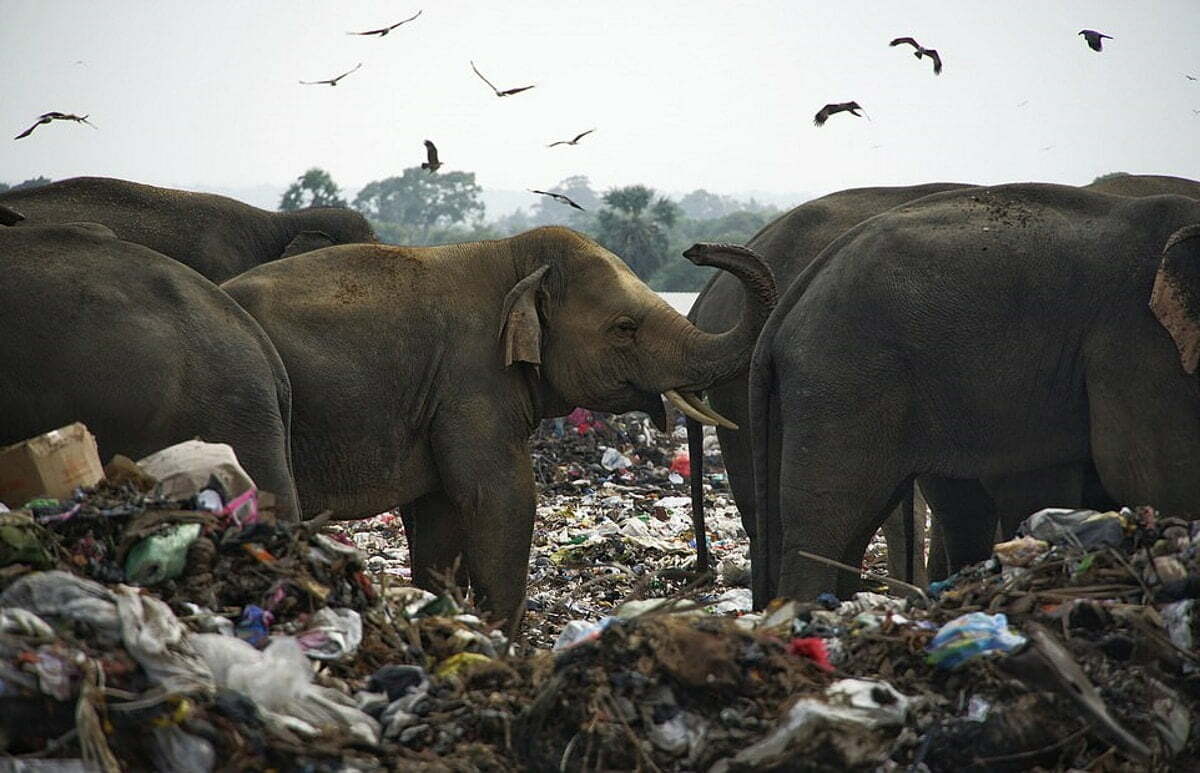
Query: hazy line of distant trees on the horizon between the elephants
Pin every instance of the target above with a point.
(647, 230)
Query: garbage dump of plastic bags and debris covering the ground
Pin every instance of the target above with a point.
(173, 624)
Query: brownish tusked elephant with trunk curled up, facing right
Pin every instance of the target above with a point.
(419, 375)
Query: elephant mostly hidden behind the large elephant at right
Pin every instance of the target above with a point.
(789, 244)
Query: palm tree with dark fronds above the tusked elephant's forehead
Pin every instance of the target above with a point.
(635, 226)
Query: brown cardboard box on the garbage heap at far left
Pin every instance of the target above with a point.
(51, 465)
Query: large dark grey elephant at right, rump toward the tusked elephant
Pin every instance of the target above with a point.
(1012, 327)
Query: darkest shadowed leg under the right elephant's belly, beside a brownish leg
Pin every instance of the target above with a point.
(965, 522)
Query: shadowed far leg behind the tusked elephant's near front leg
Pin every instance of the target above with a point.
(436, 541)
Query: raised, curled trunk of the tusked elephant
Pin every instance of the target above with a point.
(717, 358)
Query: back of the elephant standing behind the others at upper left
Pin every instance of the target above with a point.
(217, 236)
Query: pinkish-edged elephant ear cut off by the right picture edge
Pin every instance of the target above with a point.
(1175, 299)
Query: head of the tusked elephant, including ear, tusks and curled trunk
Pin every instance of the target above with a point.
(599, 338)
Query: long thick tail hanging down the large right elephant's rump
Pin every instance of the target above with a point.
(765, 428)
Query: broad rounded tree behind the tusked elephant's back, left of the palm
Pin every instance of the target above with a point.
(422, 206)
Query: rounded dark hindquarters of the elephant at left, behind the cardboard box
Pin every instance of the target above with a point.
(142, 350)
